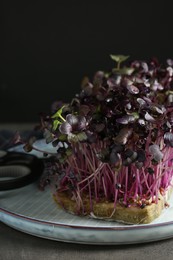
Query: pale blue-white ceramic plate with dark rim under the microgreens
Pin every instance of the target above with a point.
(33, 211)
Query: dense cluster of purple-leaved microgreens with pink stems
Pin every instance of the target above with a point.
(116, 135)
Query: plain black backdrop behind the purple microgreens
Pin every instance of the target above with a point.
(47, 47)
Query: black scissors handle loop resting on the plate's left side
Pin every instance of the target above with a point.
(18, 169)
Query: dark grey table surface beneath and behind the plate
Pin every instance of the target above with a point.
(17, 245)
